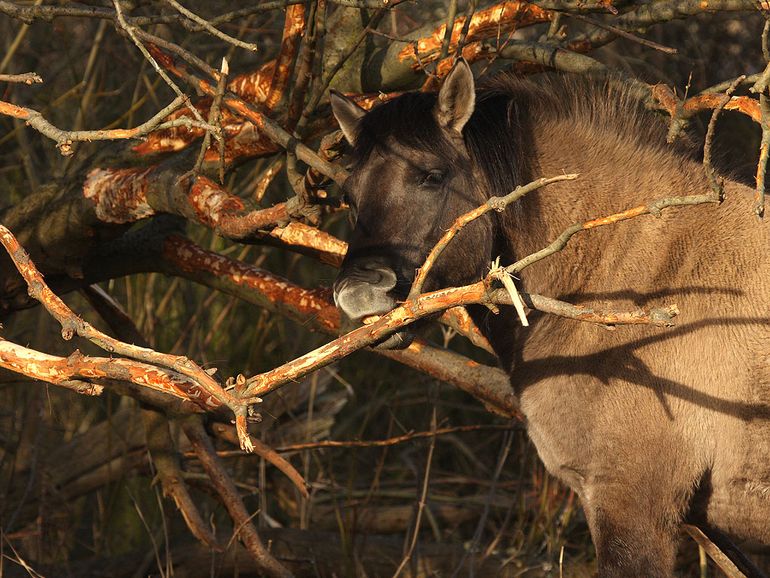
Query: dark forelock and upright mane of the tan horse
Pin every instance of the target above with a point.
(498, 134)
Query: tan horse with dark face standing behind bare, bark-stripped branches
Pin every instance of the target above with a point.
(651, 427)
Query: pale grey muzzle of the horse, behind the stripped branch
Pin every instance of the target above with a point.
(364, 290)
